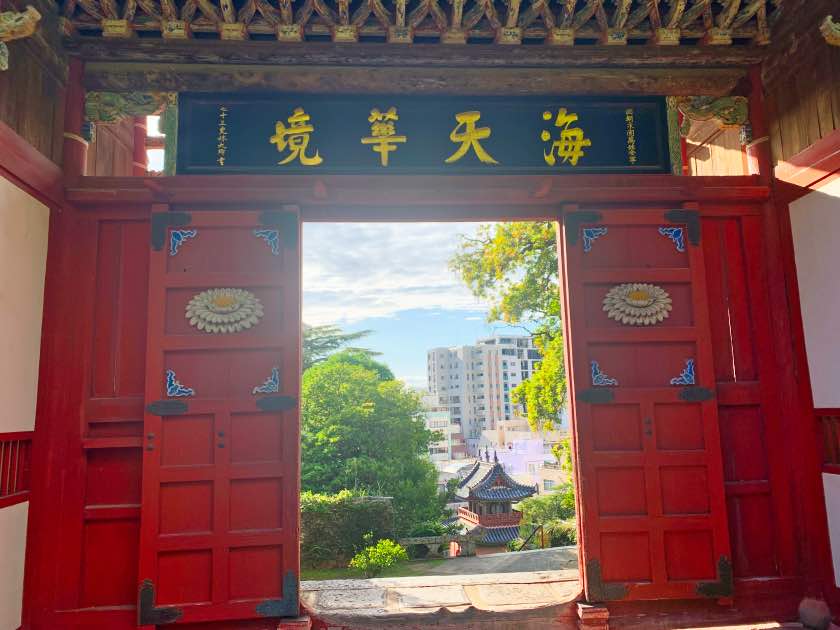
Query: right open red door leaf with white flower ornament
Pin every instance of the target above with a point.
(650, 478)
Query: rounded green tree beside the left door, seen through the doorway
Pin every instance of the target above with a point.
(360, 432)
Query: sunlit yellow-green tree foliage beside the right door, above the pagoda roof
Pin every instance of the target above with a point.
(514, 266)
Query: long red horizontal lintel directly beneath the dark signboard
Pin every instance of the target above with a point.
(406, 198)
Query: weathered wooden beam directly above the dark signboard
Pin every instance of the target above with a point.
(121, 77)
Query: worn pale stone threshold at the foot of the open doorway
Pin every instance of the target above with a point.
(521, 601)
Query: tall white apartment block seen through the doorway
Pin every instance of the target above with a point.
(475, 382)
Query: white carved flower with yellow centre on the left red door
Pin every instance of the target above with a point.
(224, 310)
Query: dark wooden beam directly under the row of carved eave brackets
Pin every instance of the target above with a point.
(151, 51)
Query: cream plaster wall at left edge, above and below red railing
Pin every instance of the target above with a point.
(23, 248)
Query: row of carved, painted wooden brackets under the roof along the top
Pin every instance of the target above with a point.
(446, 22)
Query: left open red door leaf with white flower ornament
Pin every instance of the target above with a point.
(219, 518)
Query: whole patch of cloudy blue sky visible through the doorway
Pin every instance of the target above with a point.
(392, 278)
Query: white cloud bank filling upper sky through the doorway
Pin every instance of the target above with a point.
(353, 271)
